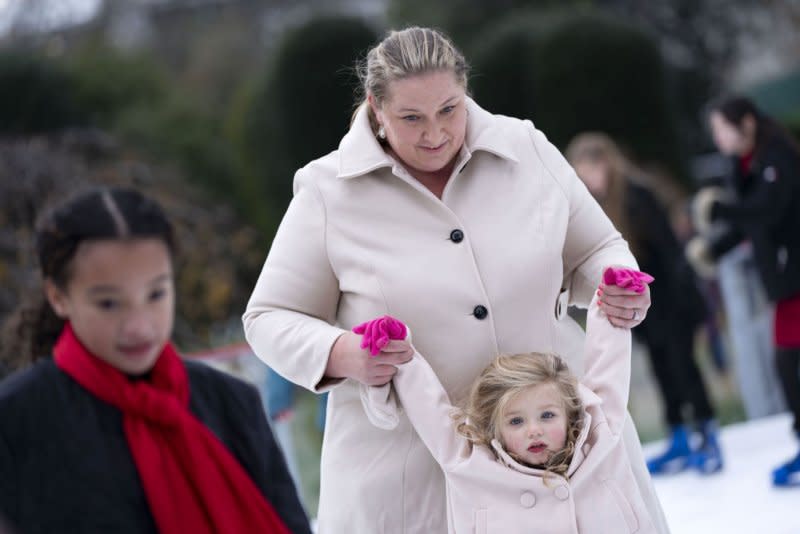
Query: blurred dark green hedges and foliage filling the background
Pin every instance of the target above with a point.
(212, 106)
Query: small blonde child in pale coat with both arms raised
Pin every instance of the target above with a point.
(533, 449)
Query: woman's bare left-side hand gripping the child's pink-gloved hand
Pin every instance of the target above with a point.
(349, 360)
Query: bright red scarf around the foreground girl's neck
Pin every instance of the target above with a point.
(192, 483)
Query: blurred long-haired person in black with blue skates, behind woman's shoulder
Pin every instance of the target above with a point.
(625, 193)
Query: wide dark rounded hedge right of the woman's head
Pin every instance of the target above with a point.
(571, 72)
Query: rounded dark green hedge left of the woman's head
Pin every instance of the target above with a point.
(302, 104)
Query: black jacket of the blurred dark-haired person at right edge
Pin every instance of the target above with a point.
(767, 212)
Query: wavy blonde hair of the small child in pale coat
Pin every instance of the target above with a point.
(501, 381)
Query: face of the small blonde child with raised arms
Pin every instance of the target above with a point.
(534, 424)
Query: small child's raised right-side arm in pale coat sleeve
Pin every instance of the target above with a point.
(607, 367)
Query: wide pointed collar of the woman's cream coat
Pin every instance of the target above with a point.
(360, 153)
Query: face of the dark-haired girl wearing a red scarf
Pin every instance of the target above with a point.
(120, 301)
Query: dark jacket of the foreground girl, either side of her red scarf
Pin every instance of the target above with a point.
(65, 465)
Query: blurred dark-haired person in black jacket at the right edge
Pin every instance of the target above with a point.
(764, 208)
